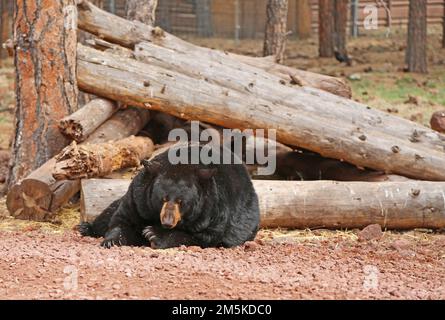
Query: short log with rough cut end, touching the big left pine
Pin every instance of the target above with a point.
(79, 125)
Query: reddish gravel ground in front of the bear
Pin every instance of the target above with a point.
(35, 264)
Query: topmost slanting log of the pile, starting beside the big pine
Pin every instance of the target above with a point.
(129, 33)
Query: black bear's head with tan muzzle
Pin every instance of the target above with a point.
(177, 192)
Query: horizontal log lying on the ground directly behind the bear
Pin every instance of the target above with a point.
(317, 204)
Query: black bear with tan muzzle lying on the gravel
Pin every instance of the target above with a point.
(169, 205)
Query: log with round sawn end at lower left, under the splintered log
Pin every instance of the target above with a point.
(39, 195)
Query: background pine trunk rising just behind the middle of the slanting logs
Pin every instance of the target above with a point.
(276, 32)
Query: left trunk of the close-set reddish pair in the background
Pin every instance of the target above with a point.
(326, 28)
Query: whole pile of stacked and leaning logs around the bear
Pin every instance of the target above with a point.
(321, 133)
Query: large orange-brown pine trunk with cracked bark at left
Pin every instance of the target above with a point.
(46, 86)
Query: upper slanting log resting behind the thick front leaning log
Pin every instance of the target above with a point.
(217, 69)
